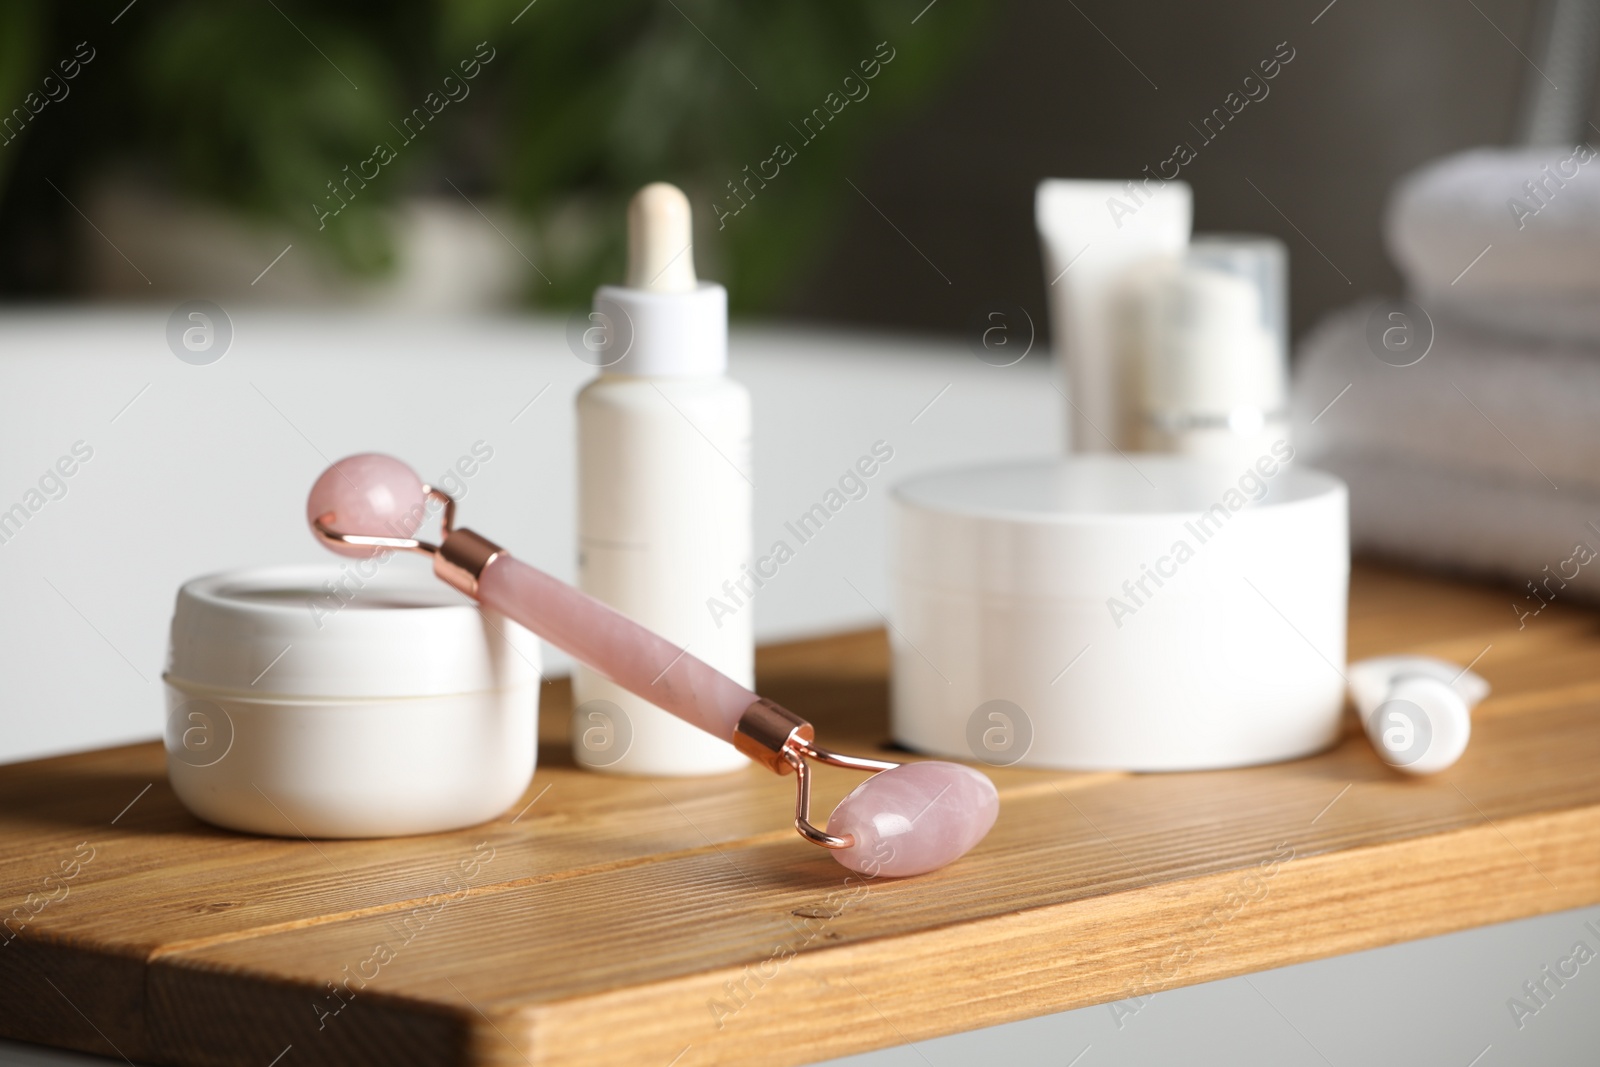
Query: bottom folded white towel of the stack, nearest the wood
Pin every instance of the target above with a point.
(1543, 543)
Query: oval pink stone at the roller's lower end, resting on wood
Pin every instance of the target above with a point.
(914, 818)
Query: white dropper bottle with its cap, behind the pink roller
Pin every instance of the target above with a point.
(663, 492)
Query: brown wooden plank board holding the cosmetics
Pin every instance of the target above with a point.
(636, 922)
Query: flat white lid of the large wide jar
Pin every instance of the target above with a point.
(1078, 527)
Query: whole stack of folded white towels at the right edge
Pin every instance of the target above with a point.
(1486, 455)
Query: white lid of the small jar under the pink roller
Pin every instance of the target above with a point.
(362, 629)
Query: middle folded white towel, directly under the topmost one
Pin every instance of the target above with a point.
(1521, 414)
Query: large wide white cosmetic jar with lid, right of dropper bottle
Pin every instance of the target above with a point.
(1142, 613)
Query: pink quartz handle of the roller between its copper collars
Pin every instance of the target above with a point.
(644, 663)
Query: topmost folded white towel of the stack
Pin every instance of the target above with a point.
(1506, 239)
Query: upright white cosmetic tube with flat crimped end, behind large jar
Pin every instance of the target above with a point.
(1103, 244)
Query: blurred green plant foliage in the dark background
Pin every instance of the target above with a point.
(260, 105)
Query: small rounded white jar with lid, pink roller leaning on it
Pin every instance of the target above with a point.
(393, 706)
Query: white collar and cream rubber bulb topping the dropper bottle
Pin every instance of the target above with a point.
(663, 324)
